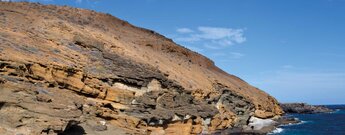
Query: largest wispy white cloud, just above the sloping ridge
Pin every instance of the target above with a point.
(217, 36)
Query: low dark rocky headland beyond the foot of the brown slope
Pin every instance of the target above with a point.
(304, 108)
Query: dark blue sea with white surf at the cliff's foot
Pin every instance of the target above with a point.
(317, 124)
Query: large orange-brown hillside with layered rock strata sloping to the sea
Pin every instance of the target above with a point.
(66, 70)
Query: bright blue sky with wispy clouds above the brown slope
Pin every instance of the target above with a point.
(291, 49)
